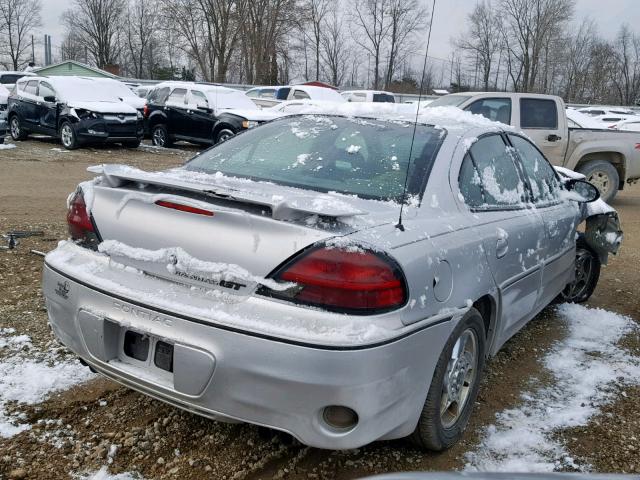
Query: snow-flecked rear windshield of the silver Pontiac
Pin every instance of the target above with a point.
(363, 157)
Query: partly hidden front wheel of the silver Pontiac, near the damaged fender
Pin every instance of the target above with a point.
(587, 274)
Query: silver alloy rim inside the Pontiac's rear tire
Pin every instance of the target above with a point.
(459, 378)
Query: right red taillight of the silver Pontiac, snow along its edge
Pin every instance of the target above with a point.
(359, 281)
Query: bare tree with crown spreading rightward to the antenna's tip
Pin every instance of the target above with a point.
(406, 17)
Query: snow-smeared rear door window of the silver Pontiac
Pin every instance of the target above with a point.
(501, 183)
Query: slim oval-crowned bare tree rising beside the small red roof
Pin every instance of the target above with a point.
(335, 48)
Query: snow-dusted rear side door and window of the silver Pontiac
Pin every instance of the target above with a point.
(511, 230)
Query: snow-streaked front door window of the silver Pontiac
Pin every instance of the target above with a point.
(542, 176)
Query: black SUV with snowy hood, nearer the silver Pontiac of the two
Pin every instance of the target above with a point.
(198, 113)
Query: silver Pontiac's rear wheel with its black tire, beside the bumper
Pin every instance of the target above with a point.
(439, 429)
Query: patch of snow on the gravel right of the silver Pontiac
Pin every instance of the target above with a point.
(583, 364)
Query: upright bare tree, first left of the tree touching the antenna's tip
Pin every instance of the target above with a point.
(372, 30)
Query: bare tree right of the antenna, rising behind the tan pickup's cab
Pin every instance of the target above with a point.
(483, 40)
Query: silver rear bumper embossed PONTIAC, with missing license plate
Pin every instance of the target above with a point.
(239, 376)
